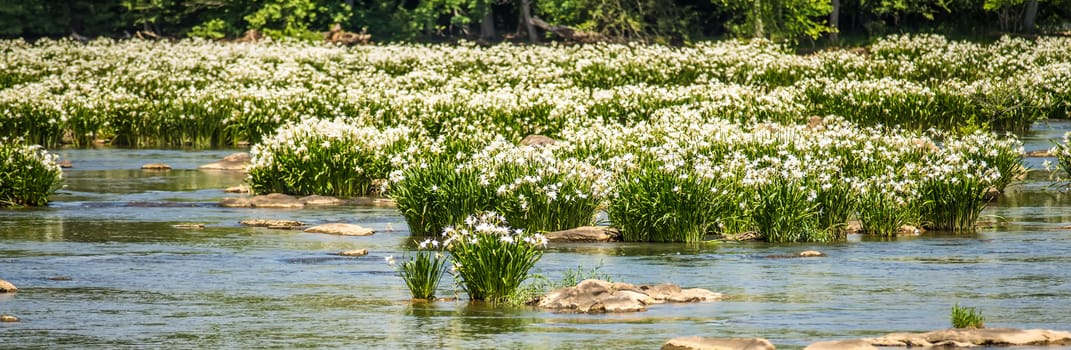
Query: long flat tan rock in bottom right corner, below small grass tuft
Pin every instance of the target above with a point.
(966, 338)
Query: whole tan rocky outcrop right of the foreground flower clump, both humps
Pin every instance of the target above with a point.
(595, 297)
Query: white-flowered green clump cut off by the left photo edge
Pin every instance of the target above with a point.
(28, 174)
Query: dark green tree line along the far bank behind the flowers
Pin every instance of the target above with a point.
(650, 21)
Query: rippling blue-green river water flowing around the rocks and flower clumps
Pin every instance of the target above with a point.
(102, 267)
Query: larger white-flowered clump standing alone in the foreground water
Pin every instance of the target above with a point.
(490, 258)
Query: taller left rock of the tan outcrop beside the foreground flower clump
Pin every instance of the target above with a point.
(595, 296)
